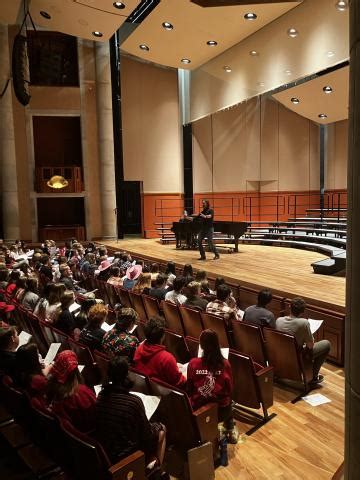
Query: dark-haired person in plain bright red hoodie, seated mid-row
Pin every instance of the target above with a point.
(152, 359)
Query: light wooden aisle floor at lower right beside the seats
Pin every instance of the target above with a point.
(301, 443)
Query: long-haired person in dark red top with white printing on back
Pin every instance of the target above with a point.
(209, 379)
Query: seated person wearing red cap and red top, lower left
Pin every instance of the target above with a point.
(67, 396)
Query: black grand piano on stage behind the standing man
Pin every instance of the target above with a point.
(188, 230)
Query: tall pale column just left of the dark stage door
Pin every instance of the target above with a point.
(105, 139)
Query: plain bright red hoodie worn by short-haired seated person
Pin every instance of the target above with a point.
(155, 361)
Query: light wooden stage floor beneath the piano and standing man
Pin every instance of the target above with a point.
(286, 270)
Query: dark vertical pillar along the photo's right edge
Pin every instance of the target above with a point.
(352, 329)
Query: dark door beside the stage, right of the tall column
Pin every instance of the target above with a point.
(130, 208)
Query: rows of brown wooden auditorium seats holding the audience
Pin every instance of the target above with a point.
(52, 448)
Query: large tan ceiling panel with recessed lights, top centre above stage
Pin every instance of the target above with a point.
(193, 27)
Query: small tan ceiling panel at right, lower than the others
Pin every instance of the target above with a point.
(314, 101)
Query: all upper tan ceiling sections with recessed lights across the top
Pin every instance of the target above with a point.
(193, 25)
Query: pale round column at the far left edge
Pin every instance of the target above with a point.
(8, 173)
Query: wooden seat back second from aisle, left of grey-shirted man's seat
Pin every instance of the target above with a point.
(248, 339)
